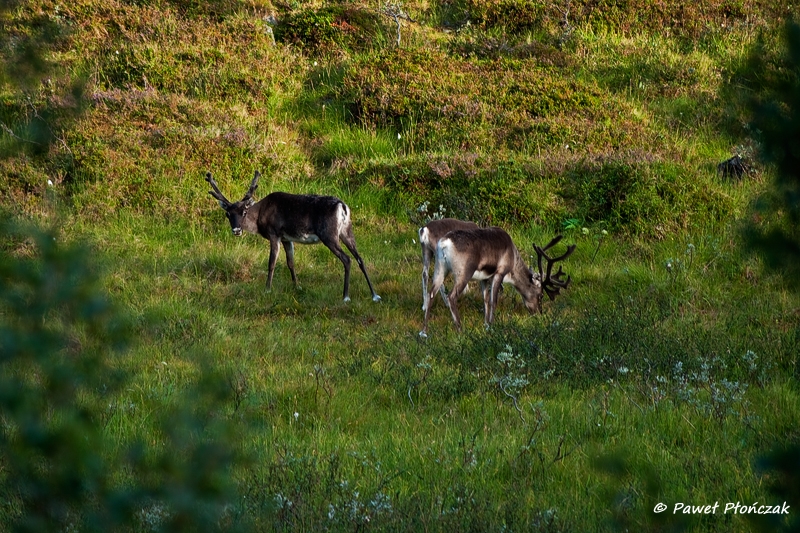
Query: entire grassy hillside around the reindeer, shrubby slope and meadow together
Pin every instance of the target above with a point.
(663, 374)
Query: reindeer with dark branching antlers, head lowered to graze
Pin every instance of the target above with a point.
(490, 255)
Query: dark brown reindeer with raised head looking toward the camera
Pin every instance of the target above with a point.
(289, 218)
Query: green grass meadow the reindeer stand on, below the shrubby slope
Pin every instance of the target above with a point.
(343, 407)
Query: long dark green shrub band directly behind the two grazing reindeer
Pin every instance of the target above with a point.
(631, 193)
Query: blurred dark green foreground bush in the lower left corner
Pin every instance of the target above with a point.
(61, 340)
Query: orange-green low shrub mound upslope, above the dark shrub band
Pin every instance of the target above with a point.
(472, 105)
